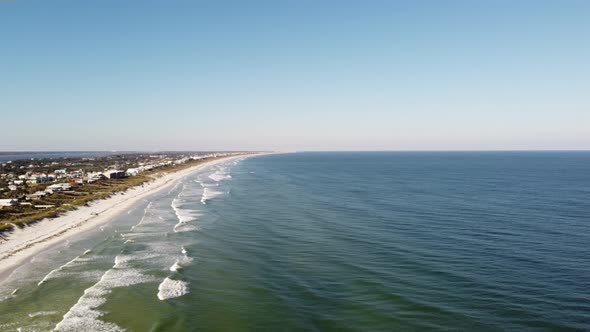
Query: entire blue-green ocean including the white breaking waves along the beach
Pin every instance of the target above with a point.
(374, 241)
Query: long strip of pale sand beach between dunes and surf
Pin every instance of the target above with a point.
(21, 244)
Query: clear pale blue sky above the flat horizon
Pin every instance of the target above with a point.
(294, 75)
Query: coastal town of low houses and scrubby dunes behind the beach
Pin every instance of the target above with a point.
(33, 189)
